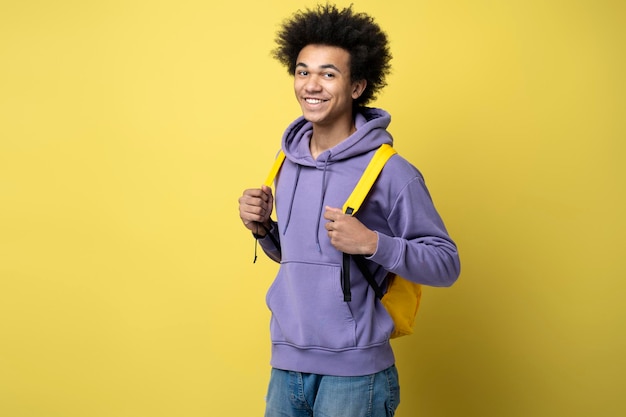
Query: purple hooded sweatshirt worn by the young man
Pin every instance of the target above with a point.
(312, 329)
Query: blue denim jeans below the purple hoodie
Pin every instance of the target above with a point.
(294, 394)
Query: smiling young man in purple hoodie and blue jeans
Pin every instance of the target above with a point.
(332, 357)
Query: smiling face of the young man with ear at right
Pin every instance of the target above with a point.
(323, 87)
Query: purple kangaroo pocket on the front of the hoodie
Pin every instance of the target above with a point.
(307, 307)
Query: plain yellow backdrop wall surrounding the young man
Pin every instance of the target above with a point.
(128, 129)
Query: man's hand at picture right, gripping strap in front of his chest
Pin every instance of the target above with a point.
(347, 234)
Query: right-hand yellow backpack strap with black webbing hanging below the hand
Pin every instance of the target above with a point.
(352, 204)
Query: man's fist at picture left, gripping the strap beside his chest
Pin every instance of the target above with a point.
(255, 208)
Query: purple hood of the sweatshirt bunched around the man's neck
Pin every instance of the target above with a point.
(371, 125)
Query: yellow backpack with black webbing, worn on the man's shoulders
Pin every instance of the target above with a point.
(402, 298)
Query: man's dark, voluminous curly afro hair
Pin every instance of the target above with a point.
(357, 33)
